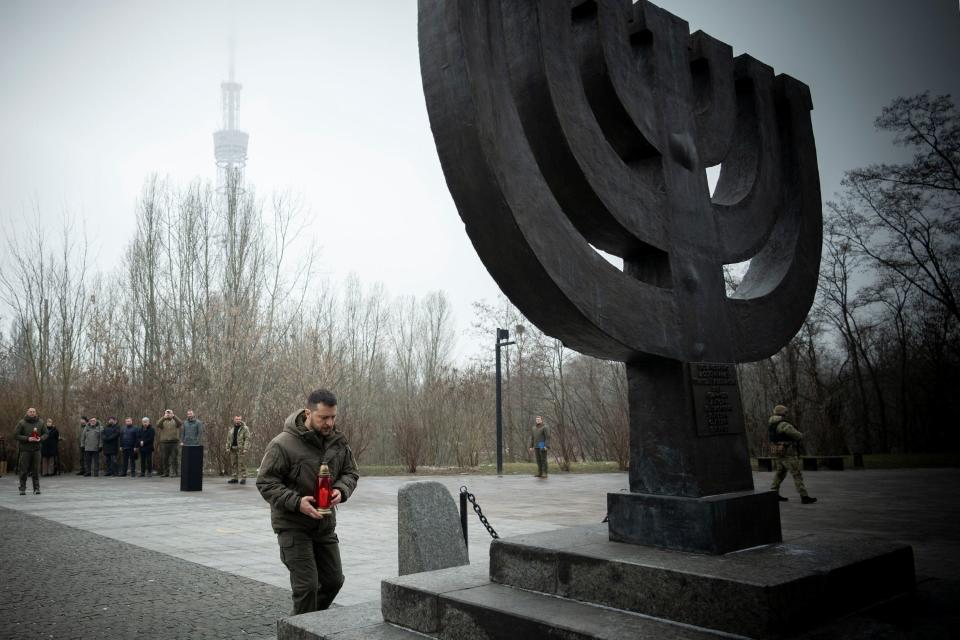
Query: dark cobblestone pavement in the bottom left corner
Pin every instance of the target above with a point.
(60, 582)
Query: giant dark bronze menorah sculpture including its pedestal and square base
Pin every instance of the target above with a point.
(563, 125)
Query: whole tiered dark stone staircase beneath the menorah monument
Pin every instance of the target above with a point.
(576, 584)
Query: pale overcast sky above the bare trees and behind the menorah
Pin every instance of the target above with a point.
(97, 94)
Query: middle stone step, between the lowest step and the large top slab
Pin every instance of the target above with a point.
(462, 604)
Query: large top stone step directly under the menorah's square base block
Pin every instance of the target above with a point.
(755, 592)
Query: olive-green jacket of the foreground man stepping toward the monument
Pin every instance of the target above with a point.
(289, 471)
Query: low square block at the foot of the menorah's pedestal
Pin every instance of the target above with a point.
(712, 524)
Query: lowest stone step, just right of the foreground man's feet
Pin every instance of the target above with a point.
(355, 622)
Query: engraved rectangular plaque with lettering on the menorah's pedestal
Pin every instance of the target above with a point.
(716, 398)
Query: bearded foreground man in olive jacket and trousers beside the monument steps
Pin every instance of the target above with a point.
(308, 541)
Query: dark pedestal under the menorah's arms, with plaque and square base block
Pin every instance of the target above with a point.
(691, 488)
